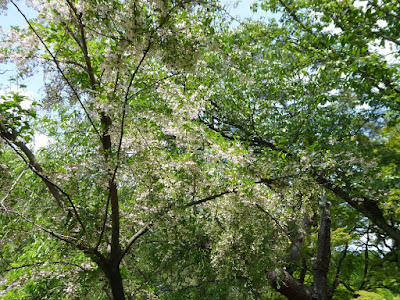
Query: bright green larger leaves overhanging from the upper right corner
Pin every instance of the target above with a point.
(360, 52)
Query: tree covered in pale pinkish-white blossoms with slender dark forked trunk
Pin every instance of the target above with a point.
(115, 165)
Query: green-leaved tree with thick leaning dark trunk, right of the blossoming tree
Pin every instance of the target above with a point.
(315, 103)
